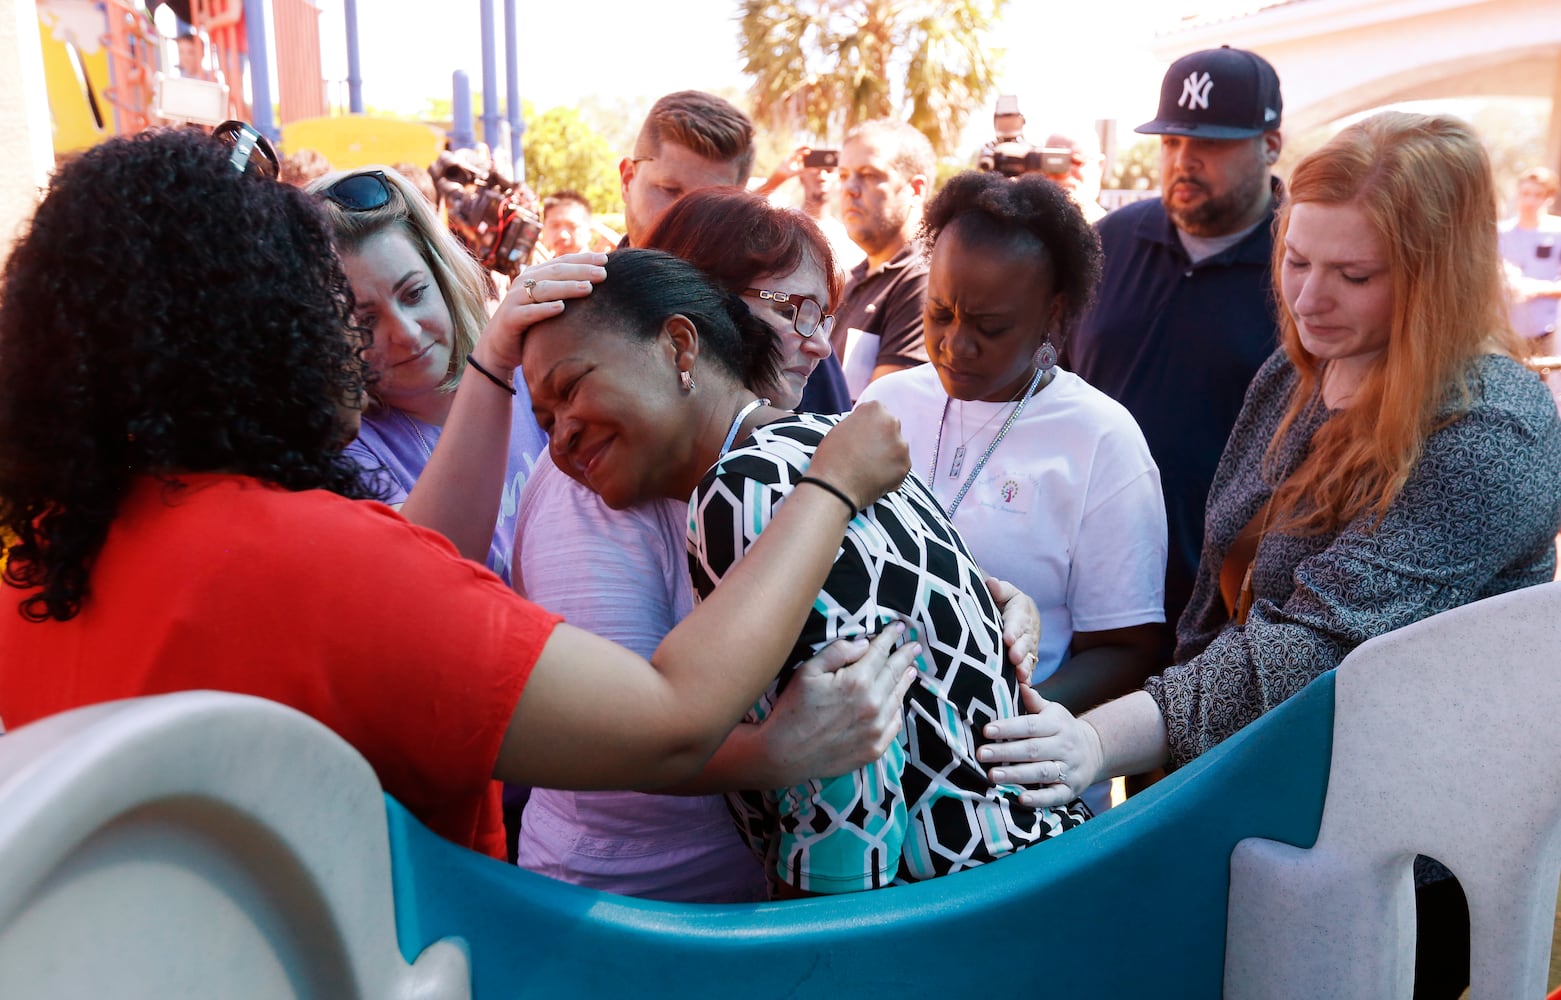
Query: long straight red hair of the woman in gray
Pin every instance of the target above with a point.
(1424, 183)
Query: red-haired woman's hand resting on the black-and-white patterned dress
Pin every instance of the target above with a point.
(1050, 750)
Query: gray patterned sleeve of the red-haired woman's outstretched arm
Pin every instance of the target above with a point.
(1477, 517)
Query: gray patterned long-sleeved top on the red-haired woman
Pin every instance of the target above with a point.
(1477, 517)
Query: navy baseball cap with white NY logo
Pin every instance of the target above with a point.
(1218, 94)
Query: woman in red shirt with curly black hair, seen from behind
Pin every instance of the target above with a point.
(180, 377)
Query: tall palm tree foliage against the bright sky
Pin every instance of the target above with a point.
(822, 66)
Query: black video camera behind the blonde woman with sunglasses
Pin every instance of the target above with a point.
(496, 218)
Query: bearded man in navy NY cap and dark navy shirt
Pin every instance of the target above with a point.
(1186, 311)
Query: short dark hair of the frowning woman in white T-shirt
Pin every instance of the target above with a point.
(994, 210)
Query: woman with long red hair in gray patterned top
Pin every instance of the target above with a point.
(1392, 461)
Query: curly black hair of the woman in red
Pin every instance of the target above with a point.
(165, 314)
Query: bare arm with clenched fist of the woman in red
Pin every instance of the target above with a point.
(569, 729)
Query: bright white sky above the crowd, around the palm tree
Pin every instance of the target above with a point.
(1076, 60)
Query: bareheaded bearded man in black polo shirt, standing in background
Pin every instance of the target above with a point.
(886, 176)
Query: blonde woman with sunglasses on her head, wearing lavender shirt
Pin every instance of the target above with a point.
(425, 302)
